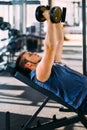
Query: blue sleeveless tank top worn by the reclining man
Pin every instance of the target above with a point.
(65, 83)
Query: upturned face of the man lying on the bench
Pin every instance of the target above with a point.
(32, 57)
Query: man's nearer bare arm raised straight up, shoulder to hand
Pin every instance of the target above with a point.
(43, 69)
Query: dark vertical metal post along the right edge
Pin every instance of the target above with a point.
(84, 35)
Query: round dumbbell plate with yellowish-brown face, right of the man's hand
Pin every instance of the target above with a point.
(56, 14)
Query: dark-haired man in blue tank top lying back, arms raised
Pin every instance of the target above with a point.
(50, 73)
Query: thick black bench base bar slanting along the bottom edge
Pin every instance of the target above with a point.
(57, 123)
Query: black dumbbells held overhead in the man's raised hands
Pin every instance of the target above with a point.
(56, 14)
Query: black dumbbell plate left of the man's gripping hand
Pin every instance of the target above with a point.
(39, 13)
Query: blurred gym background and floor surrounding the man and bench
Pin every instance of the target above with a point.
(20, 31)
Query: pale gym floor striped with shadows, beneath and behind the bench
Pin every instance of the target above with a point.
(22, 101)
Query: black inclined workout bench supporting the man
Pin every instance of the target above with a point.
(54, 123)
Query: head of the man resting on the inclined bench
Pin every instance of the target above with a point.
(27, 61)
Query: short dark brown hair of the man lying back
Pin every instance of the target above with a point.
(20, 64)
